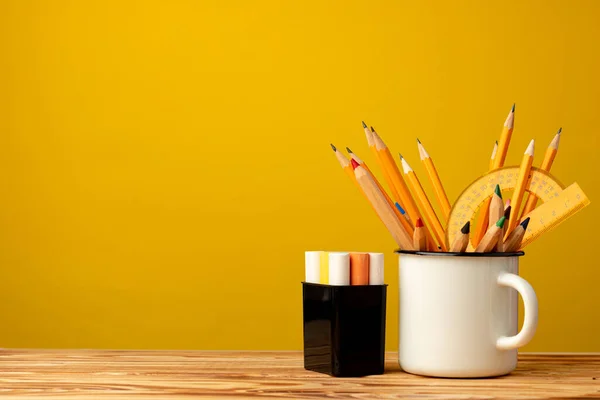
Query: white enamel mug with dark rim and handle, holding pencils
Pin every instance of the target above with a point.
(459, 313)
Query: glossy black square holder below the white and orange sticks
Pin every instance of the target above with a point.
(344, 329)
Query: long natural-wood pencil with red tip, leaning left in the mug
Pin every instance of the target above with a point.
(382, 208)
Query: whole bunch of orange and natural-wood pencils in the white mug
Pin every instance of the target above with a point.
(409, 216)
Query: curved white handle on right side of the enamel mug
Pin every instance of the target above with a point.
(531, 312)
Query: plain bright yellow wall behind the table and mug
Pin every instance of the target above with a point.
(165, 164)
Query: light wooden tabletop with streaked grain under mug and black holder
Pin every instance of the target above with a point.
(93, 374)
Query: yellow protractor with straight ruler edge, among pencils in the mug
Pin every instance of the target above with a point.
(559, 203)
